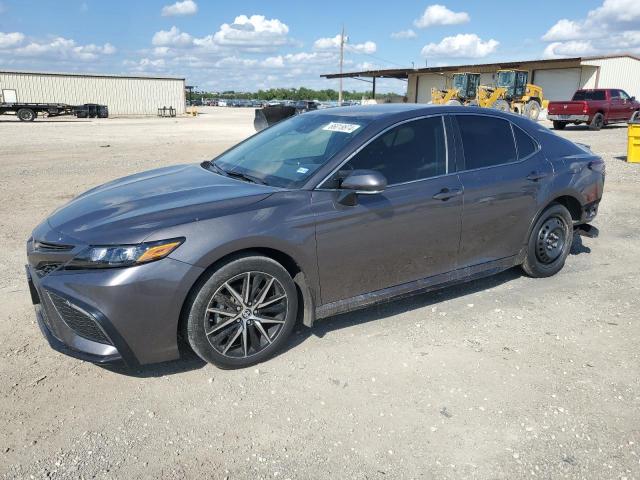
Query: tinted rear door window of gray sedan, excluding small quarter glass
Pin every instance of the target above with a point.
(487, 141)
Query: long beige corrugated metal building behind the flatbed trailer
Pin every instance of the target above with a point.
(123, 95)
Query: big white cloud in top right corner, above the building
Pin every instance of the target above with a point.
(615, 24)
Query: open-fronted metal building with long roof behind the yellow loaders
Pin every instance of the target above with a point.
(559, 78)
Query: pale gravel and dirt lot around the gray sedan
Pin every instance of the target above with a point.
(503, 378)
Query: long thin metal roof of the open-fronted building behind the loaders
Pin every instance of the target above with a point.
(404, 72)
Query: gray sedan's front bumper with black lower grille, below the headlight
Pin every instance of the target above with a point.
(126, 314)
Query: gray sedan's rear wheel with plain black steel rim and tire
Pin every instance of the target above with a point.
(546, 254)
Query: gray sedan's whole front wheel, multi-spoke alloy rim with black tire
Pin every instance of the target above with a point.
(242, 313)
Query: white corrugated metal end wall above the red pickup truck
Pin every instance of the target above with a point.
(617, 72)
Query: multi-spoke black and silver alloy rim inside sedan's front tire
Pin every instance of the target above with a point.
(246, 314)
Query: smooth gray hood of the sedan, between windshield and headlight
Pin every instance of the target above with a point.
(129, 209)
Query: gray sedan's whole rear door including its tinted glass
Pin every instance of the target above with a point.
(502, 173)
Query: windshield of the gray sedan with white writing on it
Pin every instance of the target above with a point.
(288, 153)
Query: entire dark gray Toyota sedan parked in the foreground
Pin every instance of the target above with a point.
(320, 214)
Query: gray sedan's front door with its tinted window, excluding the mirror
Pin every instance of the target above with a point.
(408, 232)
